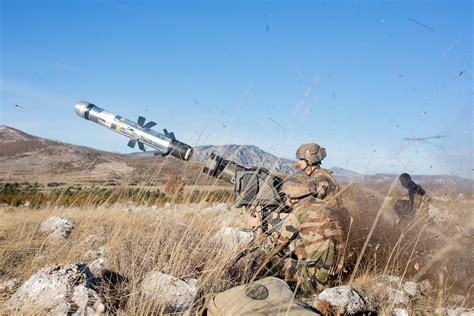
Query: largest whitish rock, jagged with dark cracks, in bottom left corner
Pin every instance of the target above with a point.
(69, 289)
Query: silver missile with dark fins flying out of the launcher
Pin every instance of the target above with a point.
(139, 132)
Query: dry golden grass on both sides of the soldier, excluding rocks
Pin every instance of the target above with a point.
(180, 241)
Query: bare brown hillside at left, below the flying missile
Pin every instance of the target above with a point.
(25, 157)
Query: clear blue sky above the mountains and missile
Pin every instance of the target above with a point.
(356, 77)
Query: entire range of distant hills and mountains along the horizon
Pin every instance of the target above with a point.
(24, 157)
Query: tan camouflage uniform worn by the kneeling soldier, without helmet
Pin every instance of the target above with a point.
(310, 235)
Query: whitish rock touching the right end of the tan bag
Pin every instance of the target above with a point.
(345, 299)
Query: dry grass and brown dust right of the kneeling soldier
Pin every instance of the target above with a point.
(436, 253)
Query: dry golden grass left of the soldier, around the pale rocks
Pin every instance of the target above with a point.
(179, 241)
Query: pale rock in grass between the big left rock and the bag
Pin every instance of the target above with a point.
(168, 290)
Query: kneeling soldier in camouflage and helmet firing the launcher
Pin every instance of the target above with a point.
(309, 238)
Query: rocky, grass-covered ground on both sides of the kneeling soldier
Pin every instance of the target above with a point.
(169, 259)
